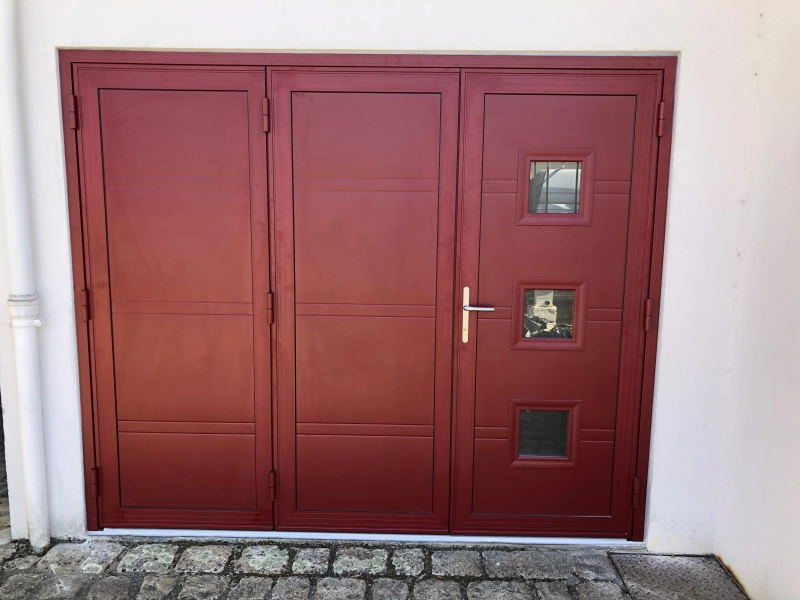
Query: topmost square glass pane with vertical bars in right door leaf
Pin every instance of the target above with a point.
(555, 187)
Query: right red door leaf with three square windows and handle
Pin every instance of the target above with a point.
(557, 173)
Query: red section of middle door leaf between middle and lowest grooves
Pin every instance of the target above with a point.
(365, 370)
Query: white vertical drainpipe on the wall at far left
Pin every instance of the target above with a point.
(23, 305)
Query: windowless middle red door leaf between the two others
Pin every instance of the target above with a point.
(365, 199)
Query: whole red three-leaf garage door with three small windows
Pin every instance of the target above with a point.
(449, 329)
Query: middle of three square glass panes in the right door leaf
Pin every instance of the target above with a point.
(548, 313)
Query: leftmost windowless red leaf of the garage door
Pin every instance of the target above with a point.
(175, 191)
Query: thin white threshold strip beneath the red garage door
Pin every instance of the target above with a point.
(366, 537)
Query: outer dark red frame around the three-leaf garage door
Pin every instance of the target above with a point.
(665, 67)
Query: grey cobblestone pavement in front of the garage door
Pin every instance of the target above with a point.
(168, 569)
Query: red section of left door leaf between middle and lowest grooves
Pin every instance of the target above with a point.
(184, 367)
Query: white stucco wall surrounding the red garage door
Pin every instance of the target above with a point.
(713, 215)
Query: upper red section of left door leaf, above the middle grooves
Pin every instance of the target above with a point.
(175, 165)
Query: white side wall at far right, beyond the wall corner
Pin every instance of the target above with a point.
(758, 521)
